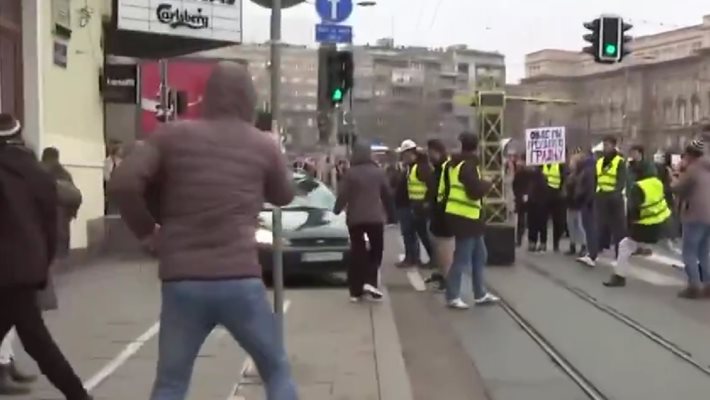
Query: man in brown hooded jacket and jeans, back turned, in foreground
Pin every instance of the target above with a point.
(214, 175)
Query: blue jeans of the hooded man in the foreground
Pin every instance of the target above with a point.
(192, 309)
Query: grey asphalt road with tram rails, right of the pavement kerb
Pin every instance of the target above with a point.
(638, 342)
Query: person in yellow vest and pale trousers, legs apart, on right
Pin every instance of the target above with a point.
(648, 214)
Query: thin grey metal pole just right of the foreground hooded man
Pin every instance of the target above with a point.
(277, 232)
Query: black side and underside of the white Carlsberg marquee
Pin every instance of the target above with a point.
(150, 45)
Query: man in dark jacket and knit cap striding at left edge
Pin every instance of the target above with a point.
(28, 240)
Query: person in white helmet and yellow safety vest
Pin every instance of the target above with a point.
(412, 205)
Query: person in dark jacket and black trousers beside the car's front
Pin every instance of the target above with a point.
(364, 194)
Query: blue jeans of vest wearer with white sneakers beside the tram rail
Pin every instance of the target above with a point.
(470, 253)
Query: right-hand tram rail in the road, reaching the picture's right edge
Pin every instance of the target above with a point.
(625, 319)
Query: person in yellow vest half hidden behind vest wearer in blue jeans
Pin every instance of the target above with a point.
(442, 239)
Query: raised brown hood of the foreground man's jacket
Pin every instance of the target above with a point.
(230, 93)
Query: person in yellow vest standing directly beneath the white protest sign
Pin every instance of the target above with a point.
(555, 175)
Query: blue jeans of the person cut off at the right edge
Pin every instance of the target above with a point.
(696, 252)
